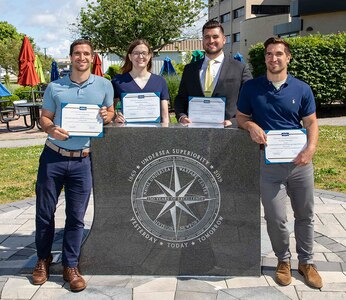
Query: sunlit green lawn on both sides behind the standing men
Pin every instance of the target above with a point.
(19, 166)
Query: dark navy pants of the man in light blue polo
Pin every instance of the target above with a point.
(74, 175)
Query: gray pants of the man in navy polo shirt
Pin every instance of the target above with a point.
(277, 182)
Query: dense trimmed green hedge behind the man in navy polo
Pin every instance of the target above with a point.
(319, 60)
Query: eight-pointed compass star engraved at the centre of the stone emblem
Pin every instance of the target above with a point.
(171, 199)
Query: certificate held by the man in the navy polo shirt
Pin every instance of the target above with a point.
(283, 146)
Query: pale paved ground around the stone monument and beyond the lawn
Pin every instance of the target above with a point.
(18, 257)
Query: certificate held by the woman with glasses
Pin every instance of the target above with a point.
(141, 107)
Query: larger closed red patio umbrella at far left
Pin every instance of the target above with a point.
(27, 75)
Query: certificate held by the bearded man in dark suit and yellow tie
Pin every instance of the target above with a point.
(207, 109)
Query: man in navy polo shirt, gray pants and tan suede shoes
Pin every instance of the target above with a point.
(279, 101)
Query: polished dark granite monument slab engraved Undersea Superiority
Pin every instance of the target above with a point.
(174, 201)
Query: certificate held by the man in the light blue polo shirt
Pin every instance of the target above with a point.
(82, 119)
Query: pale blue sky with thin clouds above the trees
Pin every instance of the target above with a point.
(48, 22)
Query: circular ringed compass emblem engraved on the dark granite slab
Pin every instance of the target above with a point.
(175, 198)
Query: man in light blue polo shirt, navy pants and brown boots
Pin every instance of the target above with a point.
(65, 163)
